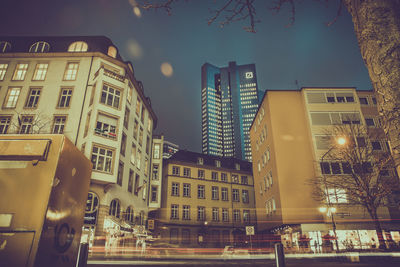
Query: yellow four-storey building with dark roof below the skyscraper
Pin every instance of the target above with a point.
(207, 201)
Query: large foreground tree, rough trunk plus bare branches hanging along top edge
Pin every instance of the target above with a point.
(376, 25)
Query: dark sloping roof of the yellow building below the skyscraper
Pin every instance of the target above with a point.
(209, 160)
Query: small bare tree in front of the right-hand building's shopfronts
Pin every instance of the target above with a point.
(358, 172)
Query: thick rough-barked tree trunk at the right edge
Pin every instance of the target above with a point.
(377, 27)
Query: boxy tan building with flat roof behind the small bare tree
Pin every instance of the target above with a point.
(287, 140)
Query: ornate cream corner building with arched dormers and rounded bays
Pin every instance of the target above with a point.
(81, 87)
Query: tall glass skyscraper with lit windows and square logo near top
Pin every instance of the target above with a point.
(229, 101)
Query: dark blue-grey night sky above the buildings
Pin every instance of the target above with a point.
(309, 51)
